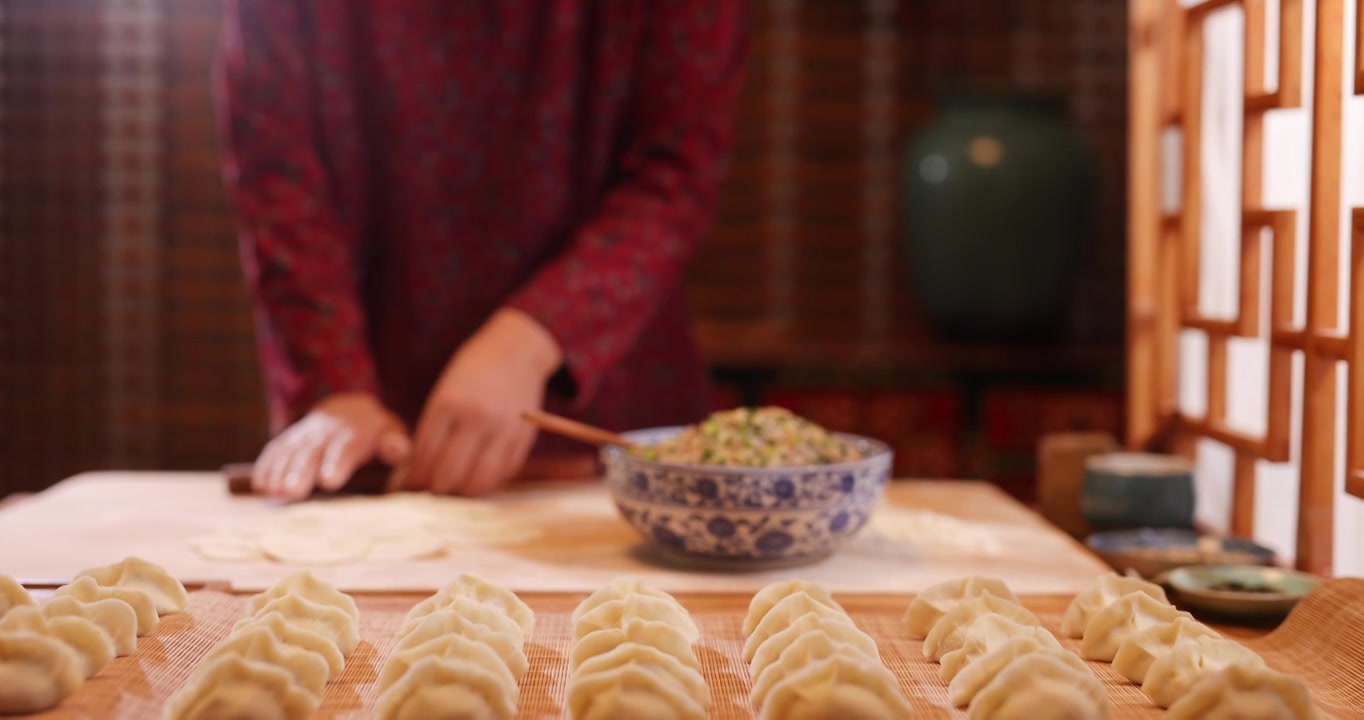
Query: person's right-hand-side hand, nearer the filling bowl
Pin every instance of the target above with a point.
(471, 437)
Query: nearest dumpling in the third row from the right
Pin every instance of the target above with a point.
(838, 688)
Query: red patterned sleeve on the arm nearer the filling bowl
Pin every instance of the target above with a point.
(598, 295)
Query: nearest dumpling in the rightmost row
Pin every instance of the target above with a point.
(1243, 692)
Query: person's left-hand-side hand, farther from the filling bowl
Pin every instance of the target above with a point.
(327, 447)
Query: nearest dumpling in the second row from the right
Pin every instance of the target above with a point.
(1043, 687)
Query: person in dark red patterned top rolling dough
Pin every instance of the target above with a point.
(454, 212)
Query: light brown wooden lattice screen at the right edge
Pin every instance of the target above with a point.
(1167, 92)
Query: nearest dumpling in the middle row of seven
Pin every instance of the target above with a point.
(665, 693)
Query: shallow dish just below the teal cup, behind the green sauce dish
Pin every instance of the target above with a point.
(1153, 552)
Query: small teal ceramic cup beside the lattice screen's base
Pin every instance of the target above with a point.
(1138, 490)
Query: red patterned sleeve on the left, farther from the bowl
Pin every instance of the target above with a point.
(298, 253)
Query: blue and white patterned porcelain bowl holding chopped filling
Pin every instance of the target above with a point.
(747, 515)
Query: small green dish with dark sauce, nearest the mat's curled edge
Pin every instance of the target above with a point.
(1241, 591)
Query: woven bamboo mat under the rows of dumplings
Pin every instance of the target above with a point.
(1322, 643)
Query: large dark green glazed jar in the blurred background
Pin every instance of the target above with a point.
(999, 197)
